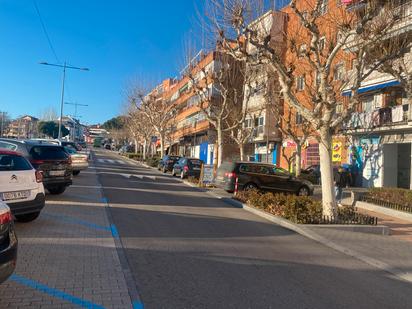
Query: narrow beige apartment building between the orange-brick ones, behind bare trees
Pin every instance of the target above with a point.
(262, 100)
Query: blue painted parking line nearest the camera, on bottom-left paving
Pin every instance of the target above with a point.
(55, 293)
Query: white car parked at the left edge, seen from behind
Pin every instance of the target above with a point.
(21, 186)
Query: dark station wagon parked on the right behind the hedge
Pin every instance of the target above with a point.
(251, 175)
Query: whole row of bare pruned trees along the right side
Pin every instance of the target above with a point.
(300, 65)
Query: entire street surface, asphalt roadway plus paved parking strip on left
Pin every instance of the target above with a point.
(163, 244)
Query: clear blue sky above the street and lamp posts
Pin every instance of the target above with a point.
(118, 40)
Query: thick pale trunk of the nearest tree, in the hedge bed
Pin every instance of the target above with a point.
(326, 171)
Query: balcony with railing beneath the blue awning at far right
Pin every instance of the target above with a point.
(383, 119)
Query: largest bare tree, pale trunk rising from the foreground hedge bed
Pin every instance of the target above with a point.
(244, 38)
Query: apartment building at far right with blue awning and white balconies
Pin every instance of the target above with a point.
(381, 129)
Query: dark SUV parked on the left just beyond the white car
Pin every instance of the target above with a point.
(52, 160)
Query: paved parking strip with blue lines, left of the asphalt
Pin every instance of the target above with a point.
(69, 255)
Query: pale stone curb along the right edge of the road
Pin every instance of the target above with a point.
(405, 276)
